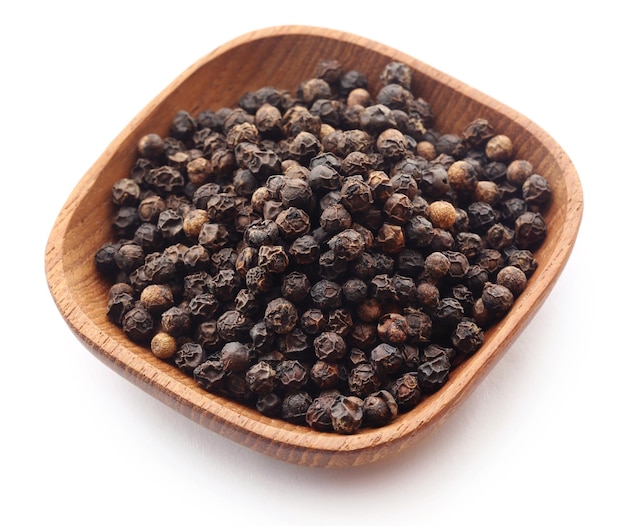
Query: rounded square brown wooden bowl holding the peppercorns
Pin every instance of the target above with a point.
(282, 57)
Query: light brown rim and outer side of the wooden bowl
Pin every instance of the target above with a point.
(279, 439)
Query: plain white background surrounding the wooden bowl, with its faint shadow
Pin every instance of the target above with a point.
(541, 440)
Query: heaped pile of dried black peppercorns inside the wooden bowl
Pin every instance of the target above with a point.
(327, 257)
